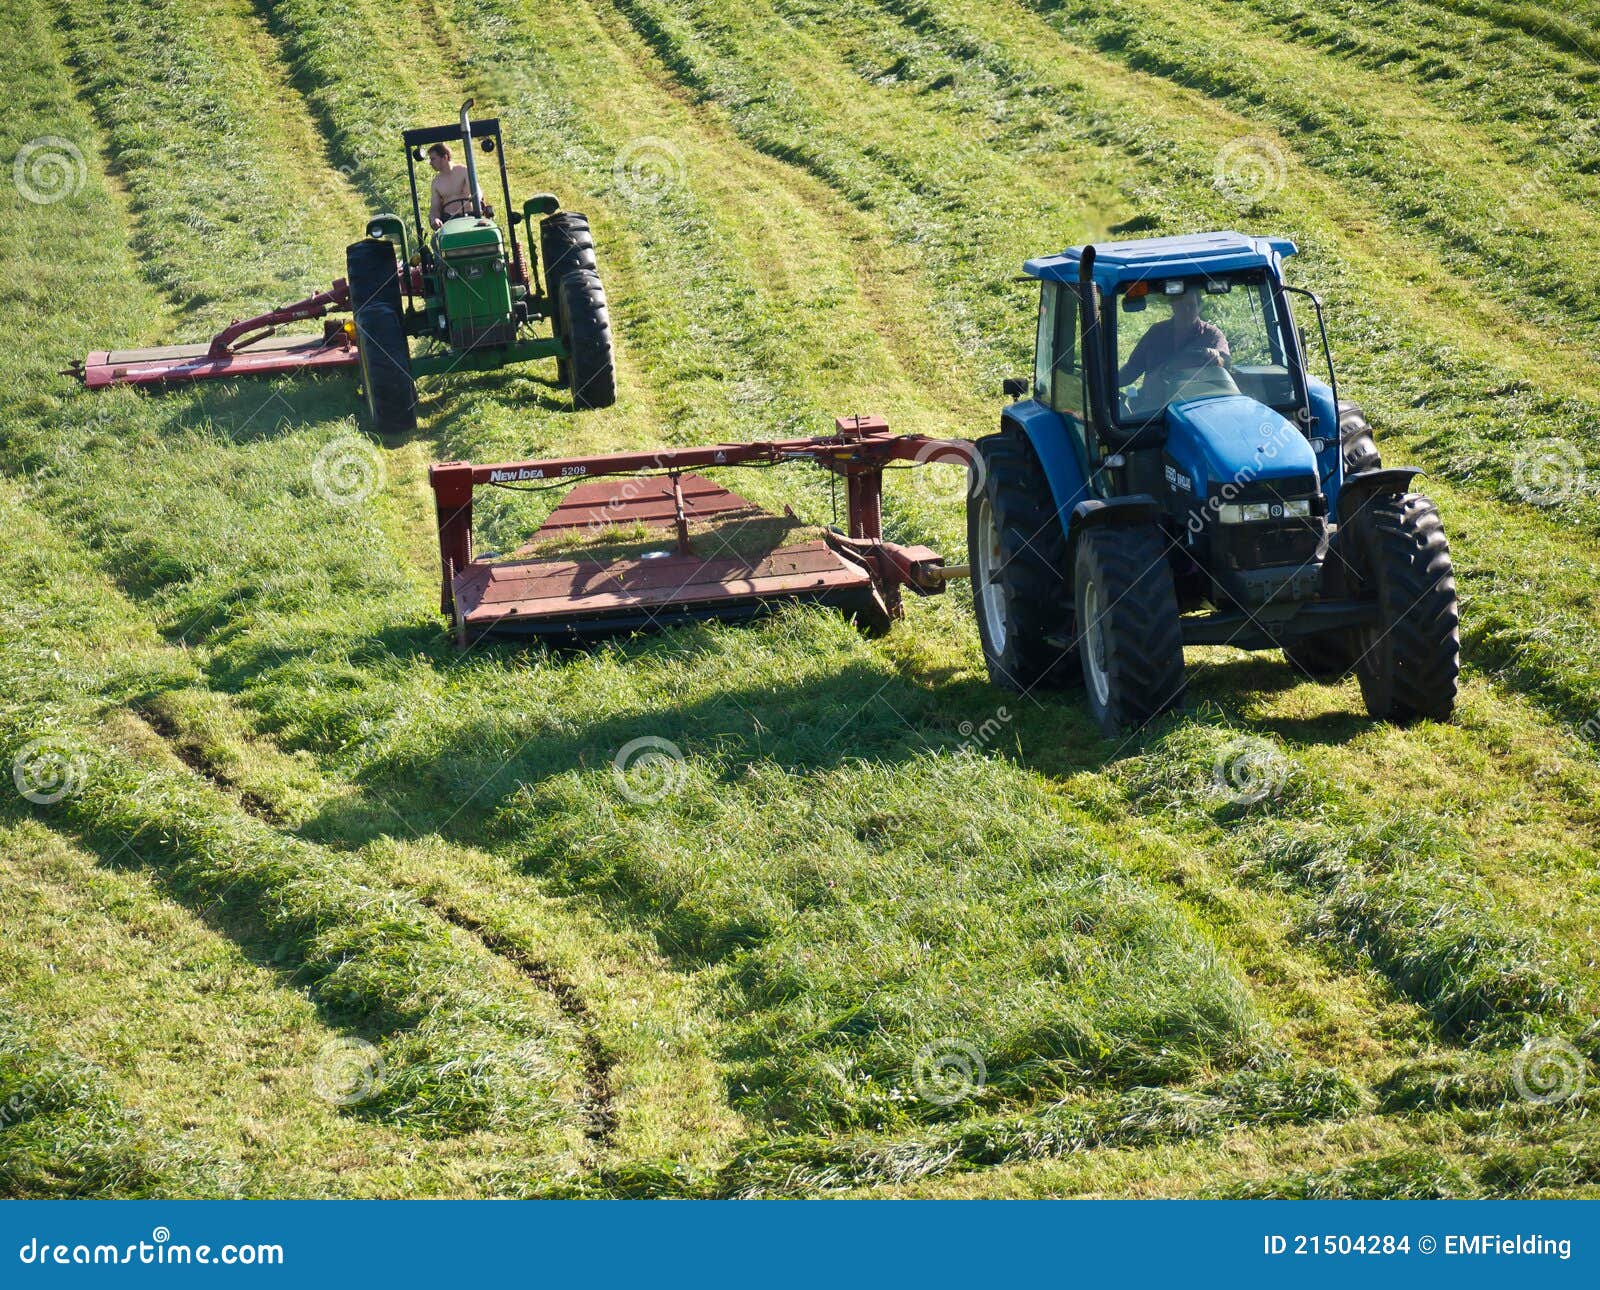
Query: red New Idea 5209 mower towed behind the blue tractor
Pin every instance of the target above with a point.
(705, 567)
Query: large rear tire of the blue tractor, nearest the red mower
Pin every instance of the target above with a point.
(1020, 561)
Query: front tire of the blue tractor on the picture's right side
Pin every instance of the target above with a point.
(1410, 659)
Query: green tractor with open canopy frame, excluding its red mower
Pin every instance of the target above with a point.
(468, 294)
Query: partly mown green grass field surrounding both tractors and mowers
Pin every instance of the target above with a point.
(322, 907)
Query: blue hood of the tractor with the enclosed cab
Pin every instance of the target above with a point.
(1234, 439)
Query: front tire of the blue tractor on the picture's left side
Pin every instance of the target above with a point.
(1130, 639)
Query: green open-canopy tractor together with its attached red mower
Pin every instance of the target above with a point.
(466, 295)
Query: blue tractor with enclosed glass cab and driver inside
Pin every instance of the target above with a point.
(1174, 475)
